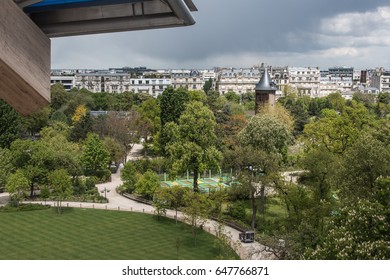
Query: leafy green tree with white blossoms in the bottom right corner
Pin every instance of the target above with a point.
(358, 232)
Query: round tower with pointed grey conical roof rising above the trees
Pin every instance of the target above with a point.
(265, 92)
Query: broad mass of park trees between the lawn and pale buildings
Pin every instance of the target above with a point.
(331, 204)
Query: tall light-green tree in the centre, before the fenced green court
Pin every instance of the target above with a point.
(194, 147)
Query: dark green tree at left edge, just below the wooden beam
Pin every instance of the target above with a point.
(9, 124)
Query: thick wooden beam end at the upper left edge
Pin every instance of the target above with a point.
(24, 60)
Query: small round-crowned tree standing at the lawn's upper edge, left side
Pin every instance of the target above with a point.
(61, 185)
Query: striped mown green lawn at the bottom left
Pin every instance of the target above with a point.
(87, 234)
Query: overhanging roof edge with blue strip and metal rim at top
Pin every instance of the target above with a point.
(58, 18)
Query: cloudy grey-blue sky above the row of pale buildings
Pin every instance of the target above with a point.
(244, 33)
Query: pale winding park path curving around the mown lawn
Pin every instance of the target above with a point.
(117, 202)
